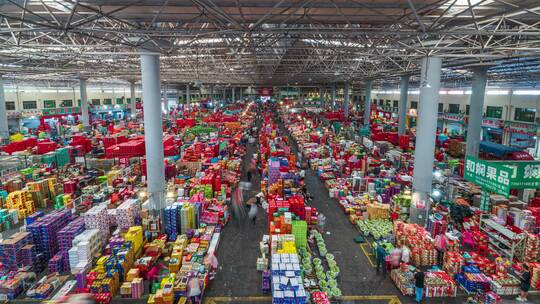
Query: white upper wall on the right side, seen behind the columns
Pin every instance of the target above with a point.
(508, 101)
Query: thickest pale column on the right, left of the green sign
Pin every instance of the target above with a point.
(430, 82)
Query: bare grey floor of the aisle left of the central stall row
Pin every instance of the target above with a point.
(239, 248)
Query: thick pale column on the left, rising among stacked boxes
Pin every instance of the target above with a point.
(153, 133)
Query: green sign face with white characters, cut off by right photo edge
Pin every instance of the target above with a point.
(525, 174)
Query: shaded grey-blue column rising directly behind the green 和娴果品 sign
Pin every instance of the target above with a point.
(474, 127)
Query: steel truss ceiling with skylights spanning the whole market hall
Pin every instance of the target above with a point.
(270, 42)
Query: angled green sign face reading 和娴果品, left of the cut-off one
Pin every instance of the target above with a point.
(490, 176)
